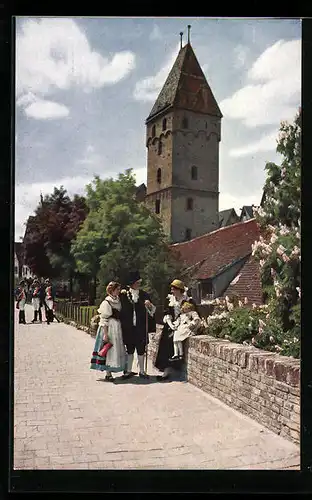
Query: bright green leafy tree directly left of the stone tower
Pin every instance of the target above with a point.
(120, 234)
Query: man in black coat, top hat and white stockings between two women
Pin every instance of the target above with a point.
(137, 320)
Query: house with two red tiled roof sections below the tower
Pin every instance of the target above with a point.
(220, 263)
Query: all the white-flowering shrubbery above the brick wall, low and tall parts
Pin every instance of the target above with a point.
(274, 326)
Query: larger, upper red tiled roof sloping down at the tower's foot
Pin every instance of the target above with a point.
(211, 252)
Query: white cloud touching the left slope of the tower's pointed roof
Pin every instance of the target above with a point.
(149, 88)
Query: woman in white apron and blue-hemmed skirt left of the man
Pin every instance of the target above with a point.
(109, 330)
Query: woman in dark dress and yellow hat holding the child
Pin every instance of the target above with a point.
(172, 310)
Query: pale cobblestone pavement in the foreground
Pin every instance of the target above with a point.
(67, 417)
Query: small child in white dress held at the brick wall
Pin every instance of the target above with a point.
(184, 326)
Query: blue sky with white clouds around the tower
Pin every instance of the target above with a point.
(85, 86)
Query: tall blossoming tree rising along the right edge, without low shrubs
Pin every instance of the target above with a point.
(278, 249)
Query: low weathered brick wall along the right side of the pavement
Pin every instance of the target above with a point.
(263, 385)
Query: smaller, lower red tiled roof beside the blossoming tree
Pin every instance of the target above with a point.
(248, 284)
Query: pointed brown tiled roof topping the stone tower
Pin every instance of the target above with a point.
(186, 87)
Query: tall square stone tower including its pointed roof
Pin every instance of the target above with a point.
(183, 131)
